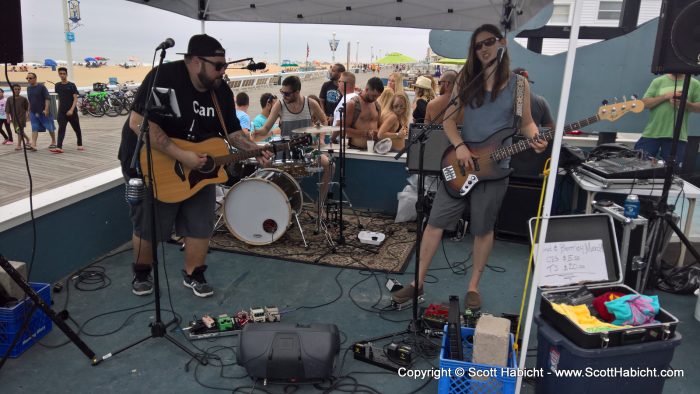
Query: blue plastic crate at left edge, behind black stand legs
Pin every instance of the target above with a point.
(11, 320)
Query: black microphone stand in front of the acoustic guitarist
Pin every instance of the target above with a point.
(158, 327)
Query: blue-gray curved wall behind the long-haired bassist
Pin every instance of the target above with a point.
(605, 70)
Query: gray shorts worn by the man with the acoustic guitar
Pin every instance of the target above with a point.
(193, 217)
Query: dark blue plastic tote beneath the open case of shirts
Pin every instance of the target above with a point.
(635, 368)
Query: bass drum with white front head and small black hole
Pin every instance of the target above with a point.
(259, 209)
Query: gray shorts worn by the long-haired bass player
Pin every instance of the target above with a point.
(484, 202)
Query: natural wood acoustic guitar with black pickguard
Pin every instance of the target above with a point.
(174, 182)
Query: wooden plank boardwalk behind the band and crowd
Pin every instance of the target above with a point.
(101, 138)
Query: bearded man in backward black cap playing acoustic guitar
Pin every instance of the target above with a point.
(197, 82)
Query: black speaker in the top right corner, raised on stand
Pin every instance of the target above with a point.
(677, 47)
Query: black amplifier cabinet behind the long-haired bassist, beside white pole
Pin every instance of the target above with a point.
(519, 205)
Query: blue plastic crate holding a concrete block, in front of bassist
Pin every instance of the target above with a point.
(500, 382)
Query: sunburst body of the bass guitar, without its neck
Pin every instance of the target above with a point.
(459, 179)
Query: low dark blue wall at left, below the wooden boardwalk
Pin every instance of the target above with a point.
(72, 237)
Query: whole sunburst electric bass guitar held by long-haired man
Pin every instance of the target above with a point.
(460, 180)
